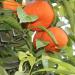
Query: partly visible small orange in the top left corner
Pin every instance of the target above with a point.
(11, 4)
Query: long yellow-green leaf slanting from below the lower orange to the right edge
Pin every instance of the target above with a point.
(61, 63)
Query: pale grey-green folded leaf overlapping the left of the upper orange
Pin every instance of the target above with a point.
(24, 17)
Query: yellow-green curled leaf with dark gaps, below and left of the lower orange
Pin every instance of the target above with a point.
(26, 57)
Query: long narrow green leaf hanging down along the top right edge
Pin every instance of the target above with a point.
(70, 13)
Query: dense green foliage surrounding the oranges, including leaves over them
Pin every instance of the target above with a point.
(17, 54)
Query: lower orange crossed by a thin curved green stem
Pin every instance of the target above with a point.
(60, 36)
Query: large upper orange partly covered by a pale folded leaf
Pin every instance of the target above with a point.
(44, 12)
